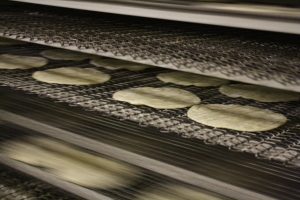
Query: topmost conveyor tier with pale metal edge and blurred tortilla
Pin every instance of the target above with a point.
(279, 16)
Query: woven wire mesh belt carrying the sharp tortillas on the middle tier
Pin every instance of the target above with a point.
(281, 144)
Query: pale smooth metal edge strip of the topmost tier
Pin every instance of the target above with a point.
(266, 24)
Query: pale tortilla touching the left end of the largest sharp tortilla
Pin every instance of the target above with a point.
(163, 97)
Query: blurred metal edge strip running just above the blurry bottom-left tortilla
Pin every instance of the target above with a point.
(135, 159)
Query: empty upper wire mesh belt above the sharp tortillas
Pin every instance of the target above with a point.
(249, 56)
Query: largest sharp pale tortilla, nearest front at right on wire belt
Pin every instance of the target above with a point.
(236, 117)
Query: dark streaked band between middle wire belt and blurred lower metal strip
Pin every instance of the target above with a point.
(216, 162)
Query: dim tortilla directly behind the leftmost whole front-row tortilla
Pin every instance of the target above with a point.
(61, 54)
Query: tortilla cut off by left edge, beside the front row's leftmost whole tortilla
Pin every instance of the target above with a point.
(9, 61)
